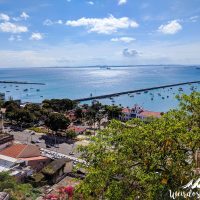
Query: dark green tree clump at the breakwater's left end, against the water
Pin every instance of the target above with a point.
(59, 105)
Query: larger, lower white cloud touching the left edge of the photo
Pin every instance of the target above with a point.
(9, 27)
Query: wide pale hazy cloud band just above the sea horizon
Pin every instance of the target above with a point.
(98, 53)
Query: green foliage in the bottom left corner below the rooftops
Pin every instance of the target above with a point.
(16, 190)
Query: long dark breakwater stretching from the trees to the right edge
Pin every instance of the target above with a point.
(133, 91)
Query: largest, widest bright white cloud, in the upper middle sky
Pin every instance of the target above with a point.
(107, 25)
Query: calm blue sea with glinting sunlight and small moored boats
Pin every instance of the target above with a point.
(81, 82)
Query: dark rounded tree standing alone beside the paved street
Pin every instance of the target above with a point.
(57, 121)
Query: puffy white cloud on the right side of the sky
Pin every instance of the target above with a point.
(171, 27)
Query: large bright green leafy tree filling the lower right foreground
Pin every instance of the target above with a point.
(137, 160)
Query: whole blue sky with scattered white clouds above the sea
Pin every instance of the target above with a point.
(41, 33)
